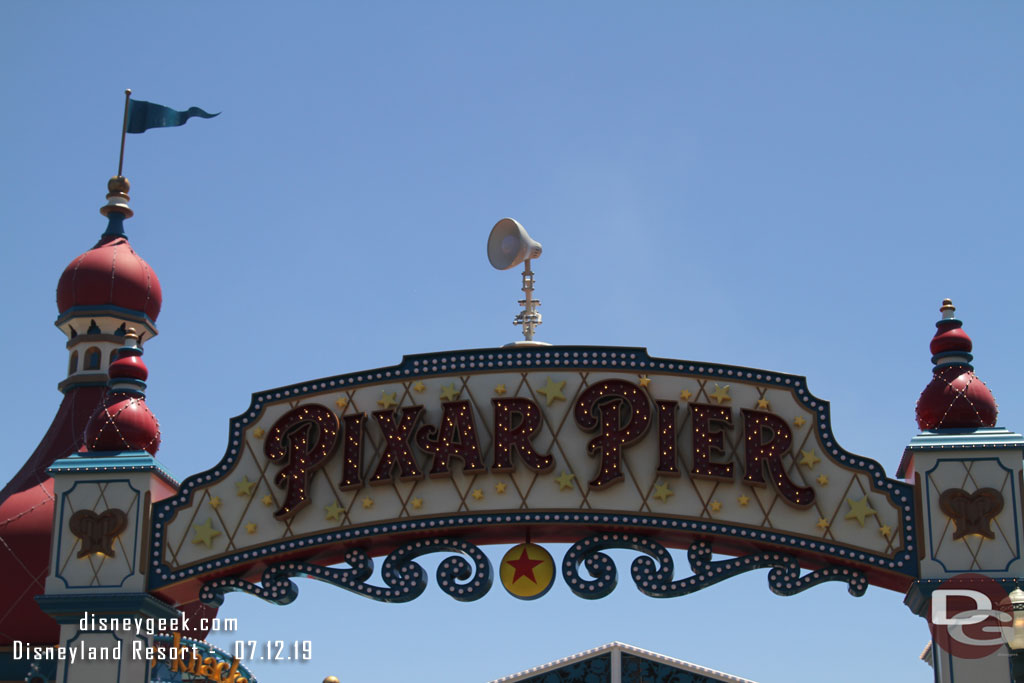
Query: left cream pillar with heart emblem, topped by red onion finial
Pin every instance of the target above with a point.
(101, 526)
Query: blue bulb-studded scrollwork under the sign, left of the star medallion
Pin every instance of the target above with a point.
(405, 580)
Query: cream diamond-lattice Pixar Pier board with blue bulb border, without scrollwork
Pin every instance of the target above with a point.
(595, 412)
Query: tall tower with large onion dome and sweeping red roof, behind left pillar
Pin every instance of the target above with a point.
(101, 293)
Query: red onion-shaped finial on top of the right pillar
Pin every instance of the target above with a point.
(956, 399)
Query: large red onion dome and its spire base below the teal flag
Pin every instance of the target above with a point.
(112, 274)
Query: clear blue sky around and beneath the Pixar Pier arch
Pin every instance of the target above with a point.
(790, 186)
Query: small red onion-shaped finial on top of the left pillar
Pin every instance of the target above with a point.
(123, 421)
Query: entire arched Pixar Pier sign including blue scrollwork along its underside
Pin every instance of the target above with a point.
(596, 447)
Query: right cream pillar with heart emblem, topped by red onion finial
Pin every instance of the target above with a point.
(967, 475)
